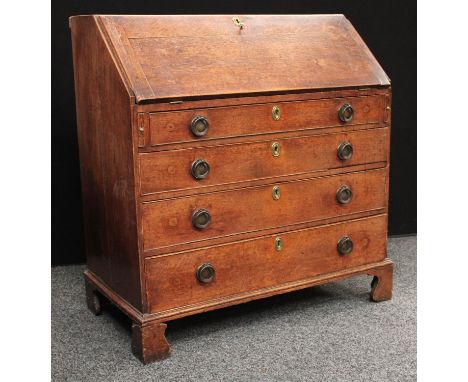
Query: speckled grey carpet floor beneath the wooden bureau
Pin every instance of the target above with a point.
(325, 333)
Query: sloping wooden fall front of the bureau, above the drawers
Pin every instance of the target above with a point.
(208, 56)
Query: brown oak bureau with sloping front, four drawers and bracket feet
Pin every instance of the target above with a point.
(227, 158)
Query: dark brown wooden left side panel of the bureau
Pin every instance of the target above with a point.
(107, 168)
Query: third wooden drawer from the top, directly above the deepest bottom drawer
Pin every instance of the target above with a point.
(170, 221)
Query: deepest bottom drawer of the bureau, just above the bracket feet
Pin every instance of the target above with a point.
(250, 265)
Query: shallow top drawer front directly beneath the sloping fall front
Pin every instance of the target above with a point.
(175, 127)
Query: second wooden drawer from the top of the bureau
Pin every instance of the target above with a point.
(187, 168)
